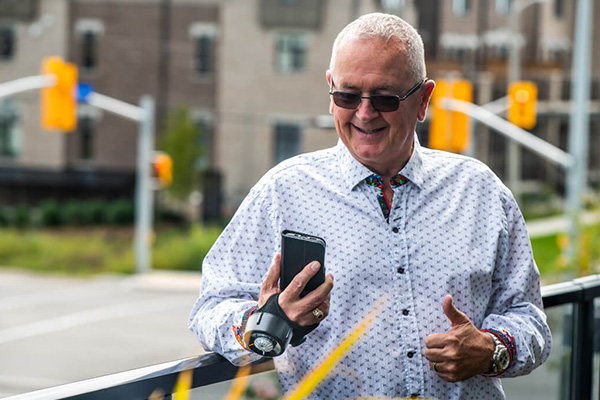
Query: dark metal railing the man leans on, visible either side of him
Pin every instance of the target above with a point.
(211, 368)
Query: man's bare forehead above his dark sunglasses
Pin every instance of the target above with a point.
(370, 63)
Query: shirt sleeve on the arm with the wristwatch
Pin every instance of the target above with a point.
(516, 302)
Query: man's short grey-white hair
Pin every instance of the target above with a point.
(386, 26)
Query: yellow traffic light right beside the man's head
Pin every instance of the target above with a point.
(450, 130)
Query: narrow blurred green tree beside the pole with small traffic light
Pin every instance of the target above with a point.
(181, 141)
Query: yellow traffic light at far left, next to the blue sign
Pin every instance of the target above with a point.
(59, 103)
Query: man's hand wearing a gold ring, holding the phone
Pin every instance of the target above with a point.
(298, 309)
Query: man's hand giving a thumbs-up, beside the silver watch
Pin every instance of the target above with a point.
(462, 352)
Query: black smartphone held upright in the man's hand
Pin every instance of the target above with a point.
(298, 250)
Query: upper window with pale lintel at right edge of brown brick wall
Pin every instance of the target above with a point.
(203, 38)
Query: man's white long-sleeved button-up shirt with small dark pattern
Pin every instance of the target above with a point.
(454, 228)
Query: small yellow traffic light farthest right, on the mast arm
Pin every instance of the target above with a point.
(522, 104)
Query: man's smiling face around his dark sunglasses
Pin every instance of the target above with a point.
(382, 141)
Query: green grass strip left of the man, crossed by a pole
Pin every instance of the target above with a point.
(86, 251)
